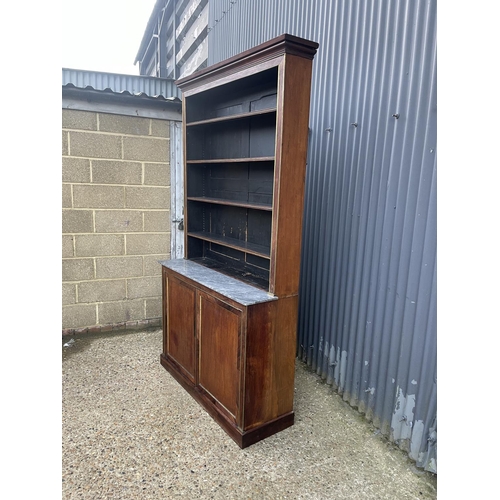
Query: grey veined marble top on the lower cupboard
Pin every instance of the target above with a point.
(218, 282)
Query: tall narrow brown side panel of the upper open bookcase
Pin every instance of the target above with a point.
(291, 158)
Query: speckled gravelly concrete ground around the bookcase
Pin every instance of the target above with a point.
(130, 431)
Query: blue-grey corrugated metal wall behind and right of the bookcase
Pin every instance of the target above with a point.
(367, 319)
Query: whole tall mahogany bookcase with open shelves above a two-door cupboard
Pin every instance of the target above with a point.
(230, 306)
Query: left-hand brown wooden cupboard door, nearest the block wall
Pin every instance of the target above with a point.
(180, 341)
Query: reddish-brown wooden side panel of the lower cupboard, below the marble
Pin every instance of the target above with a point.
(270, 360)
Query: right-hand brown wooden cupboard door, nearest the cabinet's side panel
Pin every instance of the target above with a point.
(219, 350)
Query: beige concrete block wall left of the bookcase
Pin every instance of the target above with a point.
(115, 219)
